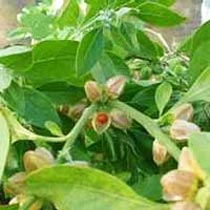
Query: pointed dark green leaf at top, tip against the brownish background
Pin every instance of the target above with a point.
(158, 14)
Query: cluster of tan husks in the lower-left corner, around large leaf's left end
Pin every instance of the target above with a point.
(33, 160)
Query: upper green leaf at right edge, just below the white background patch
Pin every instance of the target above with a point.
(202, 34)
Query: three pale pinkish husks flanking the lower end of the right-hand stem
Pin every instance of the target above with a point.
(180, 130)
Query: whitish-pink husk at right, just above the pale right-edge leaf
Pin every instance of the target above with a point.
(181, 129)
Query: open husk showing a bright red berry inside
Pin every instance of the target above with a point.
(101, 122)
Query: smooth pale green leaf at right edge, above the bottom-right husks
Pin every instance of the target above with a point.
(199, 143)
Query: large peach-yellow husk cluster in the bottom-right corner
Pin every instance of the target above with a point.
(181, 185)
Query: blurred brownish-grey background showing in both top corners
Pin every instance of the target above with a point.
(196, 11)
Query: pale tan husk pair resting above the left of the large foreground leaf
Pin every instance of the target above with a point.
(37, 159)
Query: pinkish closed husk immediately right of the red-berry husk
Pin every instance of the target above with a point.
(120, 119)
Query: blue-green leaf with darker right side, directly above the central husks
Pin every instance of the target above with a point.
(109, 66)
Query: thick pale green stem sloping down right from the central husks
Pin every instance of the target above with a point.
(152, 128)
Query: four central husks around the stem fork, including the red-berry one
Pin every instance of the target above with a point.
(111, 90)
